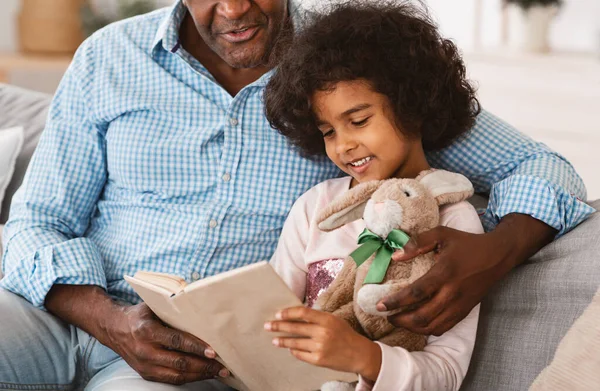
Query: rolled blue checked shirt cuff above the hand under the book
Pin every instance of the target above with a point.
(75, 262)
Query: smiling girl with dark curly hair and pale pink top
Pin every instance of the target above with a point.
(372, 87)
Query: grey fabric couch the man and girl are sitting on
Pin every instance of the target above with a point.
(522, 320)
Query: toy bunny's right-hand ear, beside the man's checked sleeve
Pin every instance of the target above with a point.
(447, 187)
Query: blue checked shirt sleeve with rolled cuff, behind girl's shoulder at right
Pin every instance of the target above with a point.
(519, 174)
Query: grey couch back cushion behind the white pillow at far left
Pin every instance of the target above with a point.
(19, 107)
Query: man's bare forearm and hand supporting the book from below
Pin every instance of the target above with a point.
(156, 352)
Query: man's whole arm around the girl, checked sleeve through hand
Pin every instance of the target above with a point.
(535, 194)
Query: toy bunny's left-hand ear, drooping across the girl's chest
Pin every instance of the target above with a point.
(348, 207)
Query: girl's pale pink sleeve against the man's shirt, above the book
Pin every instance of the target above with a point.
(288, 259)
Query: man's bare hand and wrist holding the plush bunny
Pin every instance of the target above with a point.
(467, 266)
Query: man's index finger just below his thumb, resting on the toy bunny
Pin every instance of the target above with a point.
(415, 293)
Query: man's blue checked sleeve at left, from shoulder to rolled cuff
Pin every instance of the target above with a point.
(52, 210)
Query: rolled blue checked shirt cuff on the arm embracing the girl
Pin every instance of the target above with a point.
(538, 198)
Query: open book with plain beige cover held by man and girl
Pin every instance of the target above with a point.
(228, 311)
